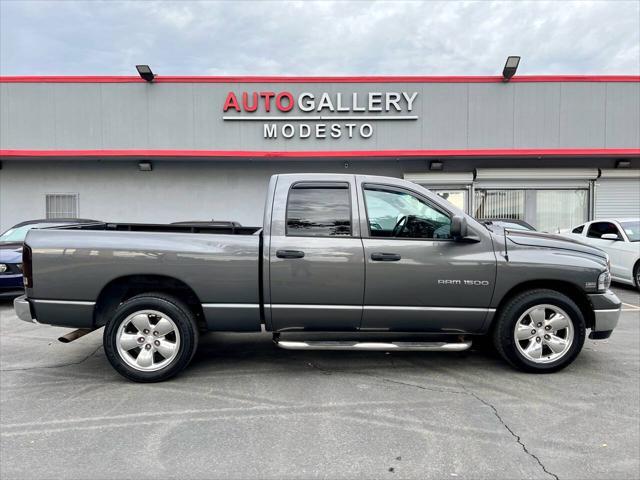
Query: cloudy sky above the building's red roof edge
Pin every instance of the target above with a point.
(317, 38)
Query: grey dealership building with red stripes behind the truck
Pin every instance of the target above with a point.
(551, 150)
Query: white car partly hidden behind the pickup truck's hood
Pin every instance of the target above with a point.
(620, 238)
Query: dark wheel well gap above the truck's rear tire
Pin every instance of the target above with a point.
(123, 288)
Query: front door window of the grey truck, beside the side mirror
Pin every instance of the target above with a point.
(395, 213)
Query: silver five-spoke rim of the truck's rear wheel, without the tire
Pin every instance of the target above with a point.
(148, 340)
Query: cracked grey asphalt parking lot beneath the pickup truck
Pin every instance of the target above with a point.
(246, 409)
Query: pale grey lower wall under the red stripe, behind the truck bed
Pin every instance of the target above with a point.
(173, 191)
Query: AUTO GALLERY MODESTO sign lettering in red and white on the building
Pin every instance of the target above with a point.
(327, 115)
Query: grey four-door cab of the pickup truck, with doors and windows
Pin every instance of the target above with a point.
(372, 254)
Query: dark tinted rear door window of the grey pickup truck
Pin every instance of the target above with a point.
(319, 210)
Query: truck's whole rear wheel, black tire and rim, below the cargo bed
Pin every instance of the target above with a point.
(151, 337)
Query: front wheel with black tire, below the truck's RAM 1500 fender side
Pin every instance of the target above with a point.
(540, 331)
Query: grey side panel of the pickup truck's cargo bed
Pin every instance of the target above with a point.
(74, 265)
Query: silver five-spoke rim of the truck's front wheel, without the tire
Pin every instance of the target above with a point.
(544, 333)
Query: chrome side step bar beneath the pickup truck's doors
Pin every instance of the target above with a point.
(375, 346)
